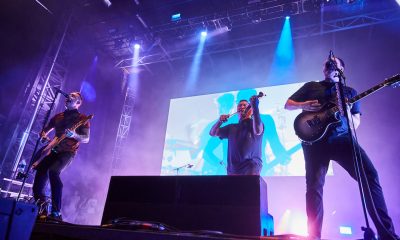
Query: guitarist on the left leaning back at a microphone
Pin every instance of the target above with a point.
(61, 155)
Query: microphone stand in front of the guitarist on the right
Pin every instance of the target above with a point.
(359, 169)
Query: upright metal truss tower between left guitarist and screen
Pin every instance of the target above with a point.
(123, 127)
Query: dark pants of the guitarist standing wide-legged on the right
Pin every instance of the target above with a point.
(317, 157)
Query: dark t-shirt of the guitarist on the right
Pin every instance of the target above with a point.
(325, 93)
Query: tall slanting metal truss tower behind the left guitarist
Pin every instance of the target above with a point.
(37, 98)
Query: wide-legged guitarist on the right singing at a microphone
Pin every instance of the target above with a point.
(336, 145)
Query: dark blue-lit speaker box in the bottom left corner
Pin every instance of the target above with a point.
(16, 219)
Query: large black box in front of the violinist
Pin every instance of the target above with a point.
(230, 204)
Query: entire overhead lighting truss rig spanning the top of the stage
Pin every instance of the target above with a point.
(177, 39)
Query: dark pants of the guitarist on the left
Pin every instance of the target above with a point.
(50, 169)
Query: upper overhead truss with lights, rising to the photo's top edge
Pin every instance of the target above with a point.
(119, 42)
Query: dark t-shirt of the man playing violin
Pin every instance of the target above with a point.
(243, 145)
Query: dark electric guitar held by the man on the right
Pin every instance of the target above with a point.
(312, 126)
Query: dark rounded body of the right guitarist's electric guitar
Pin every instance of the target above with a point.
(312, 126)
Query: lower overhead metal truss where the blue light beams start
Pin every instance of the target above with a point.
(323, 27)
